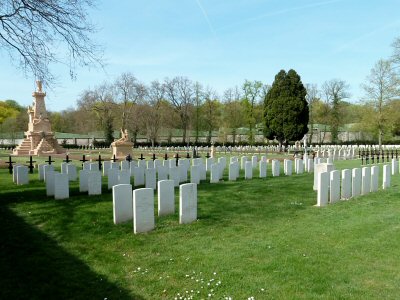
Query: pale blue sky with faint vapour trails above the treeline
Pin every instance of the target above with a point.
(222, 43)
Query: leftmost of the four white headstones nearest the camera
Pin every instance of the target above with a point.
(122, 203)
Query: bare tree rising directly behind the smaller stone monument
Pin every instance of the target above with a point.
(128, 92)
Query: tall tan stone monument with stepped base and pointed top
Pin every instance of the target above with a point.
(39, 139)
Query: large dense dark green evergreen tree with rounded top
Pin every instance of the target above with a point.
(286, 109)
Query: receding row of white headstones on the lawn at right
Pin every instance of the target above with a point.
(358, 181)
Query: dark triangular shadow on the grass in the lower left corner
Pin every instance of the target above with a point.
(33, 266)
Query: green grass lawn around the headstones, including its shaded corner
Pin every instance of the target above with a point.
(260, 237)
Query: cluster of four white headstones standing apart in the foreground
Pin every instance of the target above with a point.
(139, 204)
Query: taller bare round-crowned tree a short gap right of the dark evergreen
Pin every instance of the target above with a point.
(335, 91)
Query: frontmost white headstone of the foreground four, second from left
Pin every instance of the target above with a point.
(143, 210)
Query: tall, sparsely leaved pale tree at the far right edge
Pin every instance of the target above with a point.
(382, 86)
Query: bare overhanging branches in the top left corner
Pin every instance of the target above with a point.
(31, 32)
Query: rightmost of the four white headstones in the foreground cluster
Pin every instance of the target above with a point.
(187, 203)
